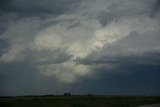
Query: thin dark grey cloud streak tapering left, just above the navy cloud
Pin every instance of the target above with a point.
(148, 58)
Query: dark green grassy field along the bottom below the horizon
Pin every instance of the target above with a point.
(77, 101)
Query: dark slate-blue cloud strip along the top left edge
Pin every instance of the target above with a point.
(38, 8)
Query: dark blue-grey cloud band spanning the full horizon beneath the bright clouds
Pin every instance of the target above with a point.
(127, 79)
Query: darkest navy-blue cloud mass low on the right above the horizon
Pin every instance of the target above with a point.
(129, 79)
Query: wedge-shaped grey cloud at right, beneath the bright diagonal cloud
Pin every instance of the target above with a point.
(130, 49)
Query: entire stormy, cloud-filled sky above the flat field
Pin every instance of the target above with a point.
(80, 46)
